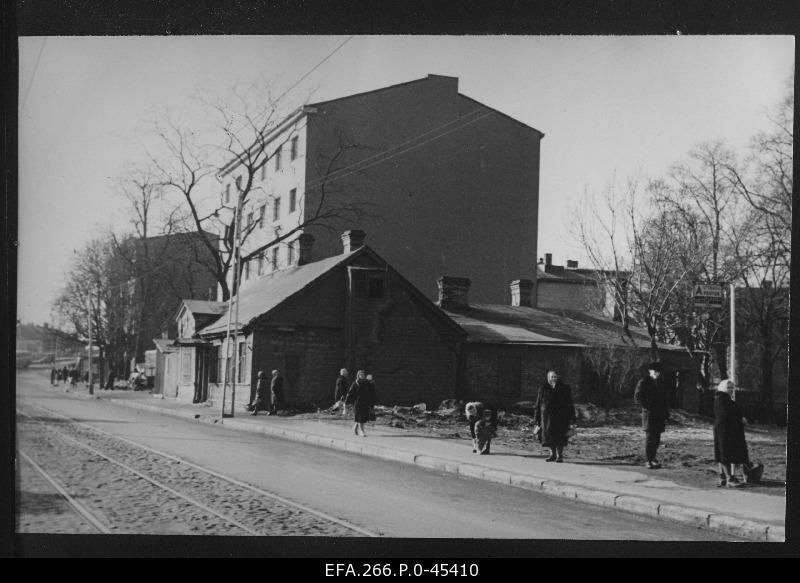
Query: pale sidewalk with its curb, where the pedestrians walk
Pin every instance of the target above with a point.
(738, 512)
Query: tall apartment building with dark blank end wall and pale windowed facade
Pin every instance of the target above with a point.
(443, 184)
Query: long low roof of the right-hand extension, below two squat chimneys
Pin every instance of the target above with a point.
(500, 324)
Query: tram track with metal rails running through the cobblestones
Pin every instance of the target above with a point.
(120, 486)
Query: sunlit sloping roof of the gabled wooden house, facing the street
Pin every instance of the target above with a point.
(268, 292)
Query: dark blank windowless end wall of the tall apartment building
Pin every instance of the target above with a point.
(461, 200)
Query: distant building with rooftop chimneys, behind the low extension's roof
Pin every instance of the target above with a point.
(572, 288)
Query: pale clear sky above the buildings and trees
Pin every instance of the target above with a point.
(608, 106)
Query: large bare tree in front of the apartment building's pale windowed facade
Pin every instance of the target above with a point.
(248, 131)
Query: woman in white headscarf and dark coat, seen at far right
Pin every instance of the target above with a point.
(730, 446)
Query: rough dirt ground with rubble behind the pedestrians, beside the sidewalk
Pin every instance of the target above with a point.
(613, 437)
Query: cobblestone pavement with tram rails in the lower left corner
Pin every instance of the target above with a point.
(127, 502)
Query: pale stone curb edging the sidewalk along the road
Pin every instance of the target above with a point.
(629, 503)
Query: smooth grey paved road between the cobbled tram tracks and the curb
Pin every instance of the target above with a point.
(377, 496)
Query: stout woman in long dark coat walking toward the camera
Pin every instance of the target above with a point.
(554, 414)
